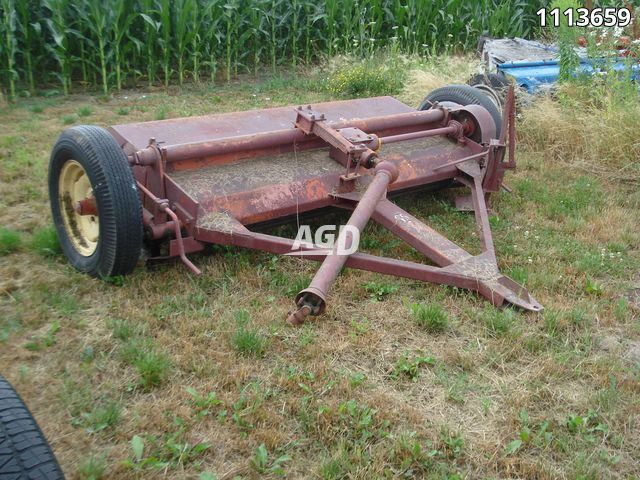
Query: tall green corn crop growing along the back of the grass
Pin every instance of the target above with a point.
(111, 44)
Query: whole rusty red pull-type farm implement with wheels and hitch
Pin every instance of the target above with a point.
(213, 179)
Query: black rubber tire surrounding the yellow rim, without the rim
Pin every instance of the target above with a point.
(117, 198)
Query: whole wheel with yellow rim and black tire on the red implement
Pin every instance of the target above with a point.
(87, 161)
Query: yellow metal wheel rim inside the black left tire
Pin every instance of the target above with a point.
(83, 230)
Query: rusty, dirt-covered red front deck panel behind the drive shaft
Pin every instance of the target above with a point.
(281, 185)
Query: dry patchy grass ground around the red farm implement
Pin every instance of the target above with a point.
(173, 376)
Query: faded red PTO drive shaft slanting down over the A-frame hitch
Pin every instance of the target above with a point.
(311, 301)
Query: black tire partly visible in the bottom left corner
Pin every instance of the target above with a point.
(24, 452)
